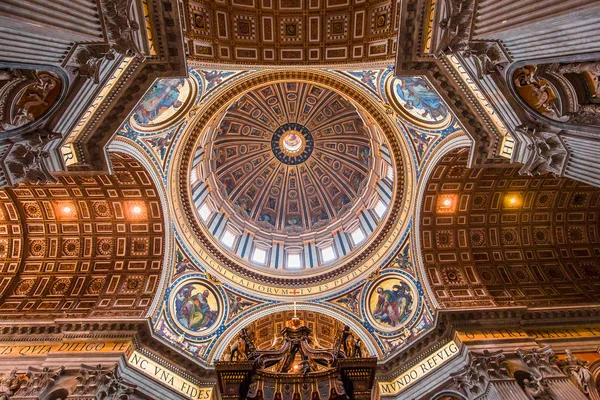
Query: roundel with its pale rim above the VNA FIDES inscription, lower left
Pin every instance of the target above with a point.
(196, 307)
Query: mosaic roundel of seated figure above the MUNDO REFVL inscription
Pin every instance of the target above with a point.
(391, 303)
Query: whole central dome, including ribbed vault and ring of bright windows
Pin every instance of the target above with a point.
(292, 176)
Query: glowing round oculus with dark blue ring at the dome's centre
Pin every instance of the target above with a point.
(292, 144)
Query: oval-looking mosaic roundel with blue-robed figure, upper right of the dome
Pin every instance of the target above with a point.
(417, 98)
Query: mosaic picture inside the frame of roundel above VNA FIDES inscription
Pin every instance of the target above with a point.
(196, 308)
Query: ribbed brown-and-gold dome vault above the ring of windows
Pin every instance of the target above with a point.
(292, 157)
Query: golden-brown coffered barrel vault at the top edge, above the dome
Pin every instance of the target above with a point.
(290, 31)
